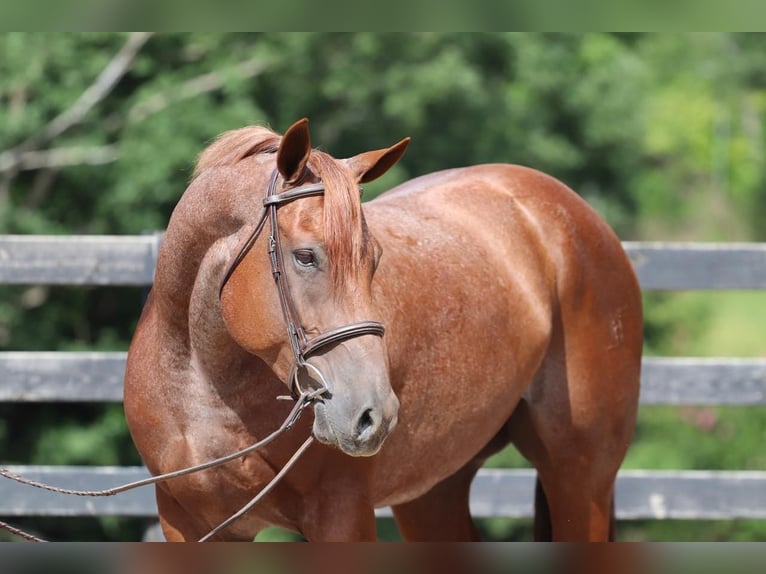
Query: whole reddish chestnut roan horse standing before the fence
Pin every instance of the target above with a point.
(452, 315)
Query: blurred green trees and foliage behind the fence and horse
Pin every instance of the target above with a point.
(662, 133)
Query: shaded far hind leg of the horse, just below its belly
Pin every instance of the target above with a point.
(441, 514)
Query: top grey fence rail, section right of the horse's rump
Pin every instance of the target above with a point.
(695, 266)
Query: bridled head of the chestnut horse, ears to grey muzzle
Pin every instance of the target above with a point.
(299, 293)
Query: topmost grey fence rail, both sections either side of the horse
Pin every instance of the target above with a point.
(130, 260)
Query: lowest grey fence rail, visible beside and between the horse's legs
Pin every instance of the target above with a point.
(640, 494)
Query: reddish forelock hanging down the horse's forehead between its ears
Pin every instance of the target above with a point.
(343, 234)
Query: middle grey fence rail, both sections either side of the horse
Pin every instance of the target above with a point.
(97, 377)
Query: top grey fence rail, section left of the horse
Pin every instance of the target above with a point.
(78, 260)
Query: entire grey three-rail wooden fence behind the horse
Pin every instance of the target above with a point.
(130, 261)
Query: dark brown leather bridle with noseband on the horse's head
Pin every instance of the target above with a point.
(301, 345)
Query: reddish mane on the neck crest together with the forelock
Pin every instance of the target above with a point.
(343, 222)
